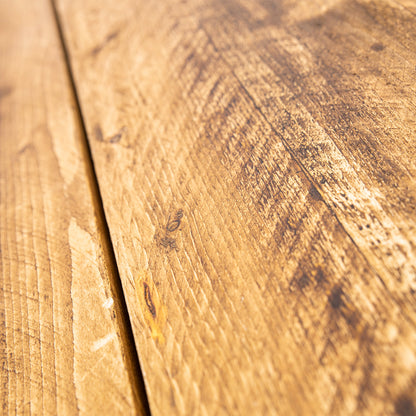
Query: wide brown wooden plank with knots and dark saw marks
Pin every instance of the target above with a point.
(256, 161)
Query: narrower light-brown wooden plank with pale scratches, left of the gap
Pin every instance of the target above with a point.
(61, 332)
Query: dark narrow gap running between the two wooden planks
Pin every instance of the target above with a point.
(130, 351)
